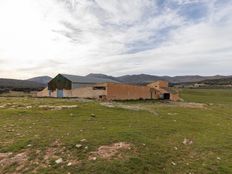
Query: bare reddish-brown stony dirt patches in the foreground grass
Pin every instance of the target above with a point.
(59, 154)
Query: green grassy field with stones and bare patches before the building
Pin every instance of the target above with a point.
(71, 136)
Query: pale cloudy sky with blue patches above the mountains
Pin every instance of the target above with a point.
(115, 37)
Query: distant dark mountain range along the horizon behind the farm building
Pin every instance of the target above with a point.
(37, 83)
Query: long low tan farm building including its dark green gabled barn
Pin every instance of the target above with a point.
(106, 89)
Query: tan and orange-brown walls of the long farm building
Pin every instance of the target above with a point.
(115, 91)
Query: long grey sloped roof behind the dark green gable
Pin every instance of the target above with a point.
(84, 79)
